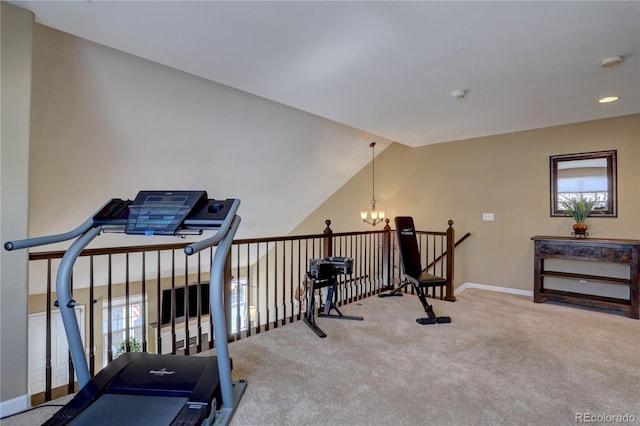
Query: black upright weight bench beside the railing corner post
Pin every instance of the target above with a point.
(412, 270)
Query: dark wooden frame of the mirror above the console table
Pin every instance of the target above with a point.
(612, 187)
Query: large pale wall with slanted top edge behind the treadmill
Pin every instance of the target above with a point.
(106, 124)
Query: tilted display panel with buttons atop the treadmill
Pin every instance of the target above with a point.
(161, 212)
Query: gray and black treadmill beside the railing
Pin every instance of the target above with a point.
(142, 388)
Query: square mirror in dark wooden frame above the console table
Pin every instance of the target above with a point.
(589, 175)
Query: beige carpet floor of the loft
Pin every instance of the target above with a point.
(502, 361)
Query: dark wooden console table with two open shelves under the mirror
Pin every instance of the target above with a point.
(589, 250)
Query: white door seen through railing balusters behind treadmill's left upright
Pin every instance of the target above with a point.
(59, 349)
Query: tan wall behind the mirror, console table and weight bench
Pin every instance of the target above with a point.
(507, 175)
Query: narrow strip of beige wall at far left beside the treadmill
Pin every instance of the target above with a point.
(16, 91)
